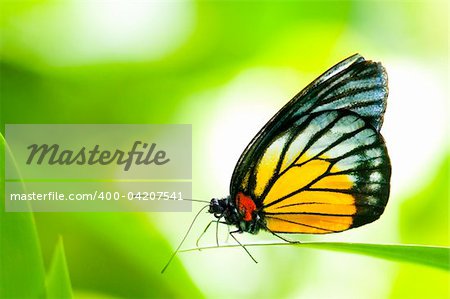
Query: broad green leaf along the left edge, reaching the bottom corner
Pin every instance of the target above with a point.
(22, 272)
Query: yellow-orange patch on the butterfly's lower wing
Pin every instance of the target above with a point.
(308, 198)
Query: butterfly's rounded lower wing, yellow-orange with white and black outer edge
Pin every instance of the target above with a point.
(328, 174)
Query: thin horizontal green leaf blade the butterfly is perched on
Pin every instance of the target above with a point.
(434, 256)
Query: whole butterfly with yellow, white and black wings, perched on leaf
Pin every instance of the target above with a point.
(320, 165)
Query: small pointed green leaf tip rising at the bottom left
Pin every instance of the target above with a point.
(58, 279)
